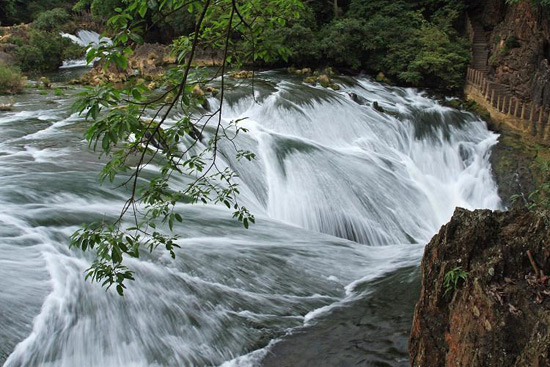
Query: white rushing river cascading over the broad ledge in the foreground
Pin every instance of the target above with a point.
(344, 197)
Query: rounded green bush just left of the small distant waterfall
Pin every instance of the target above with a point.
(45, 51)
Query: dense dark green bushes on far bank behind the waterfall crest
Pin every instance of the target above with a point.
(413, 42)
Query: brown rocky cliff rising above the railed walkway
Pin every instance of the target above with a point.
(519, 44)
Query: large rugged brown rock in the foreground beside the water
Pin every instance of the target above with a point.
(499, 316)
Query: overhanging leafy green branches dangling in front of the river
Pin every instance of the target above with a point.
(191, 145)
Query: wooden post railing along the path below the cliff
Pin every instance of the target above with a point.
(527, 116)
